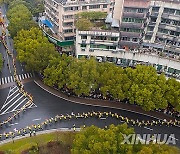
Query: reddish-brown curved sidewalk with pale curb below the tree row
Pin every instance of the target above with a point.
(104, 103)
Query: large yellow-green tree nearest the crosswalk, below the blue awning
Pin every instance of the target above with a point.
(34, 49)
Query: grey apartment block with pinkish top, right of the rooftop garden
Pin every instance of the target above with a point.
(133, 22)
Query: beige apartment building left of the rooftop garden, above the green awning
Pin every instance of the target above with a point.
(62, 14)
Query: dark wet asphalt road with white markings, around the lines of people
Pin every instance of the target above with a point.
(47, 105)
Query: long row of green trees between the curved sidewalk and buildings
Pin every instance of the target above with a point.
(83, 76)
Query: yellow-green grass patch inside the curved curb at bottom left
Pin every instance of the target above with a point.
(66, 138)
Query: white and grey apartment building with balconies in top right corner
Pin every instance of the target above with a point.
(163, 27)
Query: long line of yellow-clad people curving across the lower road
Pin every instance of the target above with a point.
(59, 118)
